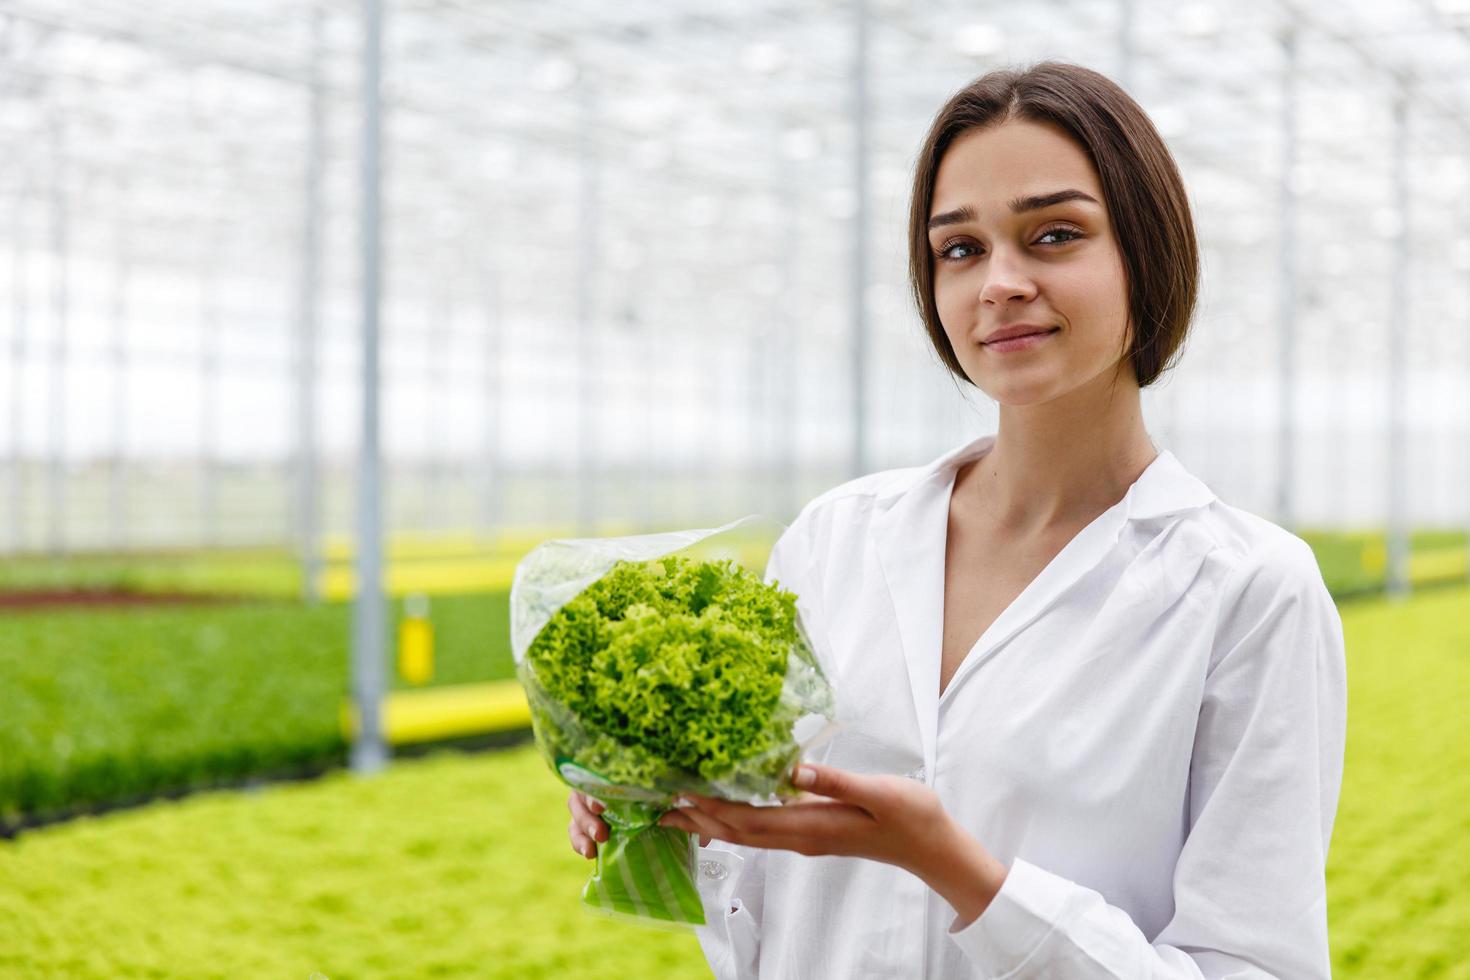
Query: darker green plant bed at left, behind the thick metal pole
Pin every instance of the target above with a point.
(105, 706)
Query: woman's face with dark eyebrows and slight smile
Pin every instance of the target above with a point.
(1000, 261)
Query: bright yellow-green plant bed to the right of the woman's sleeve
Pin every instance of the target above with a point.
(1402, 846)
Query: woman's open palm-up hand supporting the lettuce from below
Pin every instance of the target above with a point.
(887, 819)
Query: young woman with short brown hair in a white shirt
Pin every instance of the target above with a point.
(1094, 716)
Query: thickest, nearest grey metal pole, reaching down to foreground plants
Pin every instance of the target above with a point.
(370, 616)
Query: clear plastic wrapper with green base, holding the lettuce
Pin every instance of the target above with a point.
(709, 687)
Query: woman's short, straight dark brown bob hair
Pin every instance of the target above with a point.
(1146, 199)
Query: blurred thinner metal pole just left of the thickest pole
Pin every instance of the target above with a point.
(308, 478)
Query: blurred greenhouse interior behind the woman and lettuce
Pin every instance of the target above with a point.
(296, 367)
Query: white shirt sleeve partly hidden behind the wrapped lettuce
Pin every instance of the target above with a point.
(731, 878)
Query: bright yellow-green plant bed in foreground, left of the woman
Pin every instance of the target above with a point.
(445, 868)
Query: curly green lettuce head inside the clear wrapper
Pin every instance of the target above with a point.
(674, 672)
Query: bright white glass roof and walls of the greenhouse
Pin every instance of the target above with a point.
(637, 223)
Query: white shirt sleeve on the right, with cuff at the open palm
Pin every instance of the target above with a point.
(1250, 885)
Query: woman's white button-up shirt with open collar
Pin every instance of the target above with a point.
(1150, 738)
